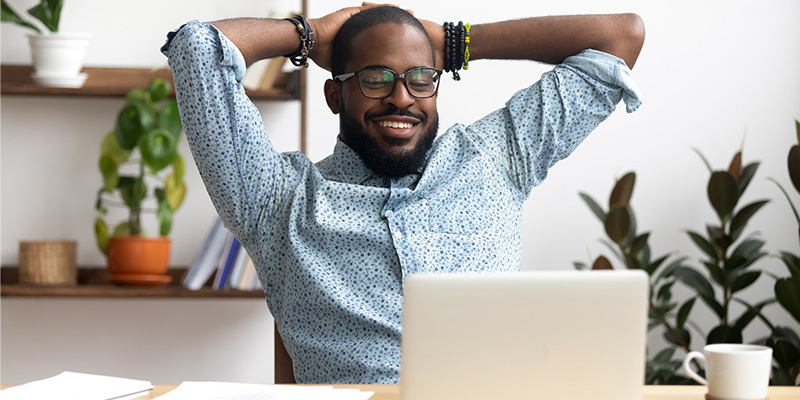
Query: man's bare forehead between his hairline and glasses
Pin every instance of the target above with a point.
(391, 45)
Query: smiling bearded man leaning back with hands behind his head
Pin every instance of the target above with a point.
(334, 241)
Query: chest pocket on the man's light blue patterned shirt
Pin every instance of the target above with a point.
(458, 208)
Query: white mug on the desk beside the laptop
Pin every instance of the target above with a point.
(733, 371)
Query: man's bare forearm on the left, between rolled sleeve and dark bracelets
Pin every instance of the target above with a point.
(260, 38)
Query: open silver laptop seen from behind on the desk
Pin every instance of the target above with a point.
(524, 335)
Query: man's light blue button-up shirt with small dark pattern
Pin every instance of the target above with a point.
(333, 242)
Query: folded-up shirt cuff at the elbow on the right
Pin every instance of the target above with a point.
(609, 69)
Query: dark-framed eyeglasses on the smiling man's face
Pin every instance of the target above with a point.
(379, 82)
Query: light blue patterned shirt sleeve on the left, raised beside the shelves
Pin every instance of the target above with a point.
(246, 178)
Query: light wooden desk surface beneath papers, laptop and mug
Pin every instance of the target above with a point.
(392, 392)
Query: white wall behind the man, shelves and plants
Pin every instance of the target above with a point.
(710, 72)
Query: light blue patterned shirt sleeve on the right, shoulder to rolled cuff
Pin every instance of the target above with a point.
(545, 122)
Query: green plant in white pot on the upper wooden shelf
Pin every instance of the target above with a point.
(57, 56)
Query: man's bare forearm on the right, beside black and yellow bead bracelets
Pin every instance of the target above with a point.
(552, 39)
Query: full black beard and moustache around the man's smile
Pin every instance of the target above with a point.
(392, 164)
